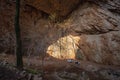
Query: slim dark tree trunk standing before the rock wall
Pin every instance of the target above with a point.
(19, 61)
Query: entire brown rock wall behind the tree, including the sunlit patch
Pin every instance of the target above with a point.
(92, 31)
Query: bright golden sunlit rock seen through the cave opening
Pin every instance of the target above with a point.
(64, 48)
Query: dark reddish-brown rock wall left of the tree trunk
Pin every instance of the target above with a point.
(6, 25)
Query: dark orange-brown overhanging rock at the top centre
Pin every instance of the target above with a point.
(57, 7)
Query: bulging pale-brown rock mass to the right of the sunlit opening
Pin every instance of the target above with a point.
(99, 31)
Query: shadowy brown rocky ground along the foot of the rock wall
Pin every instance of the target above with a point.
(58, 70)
